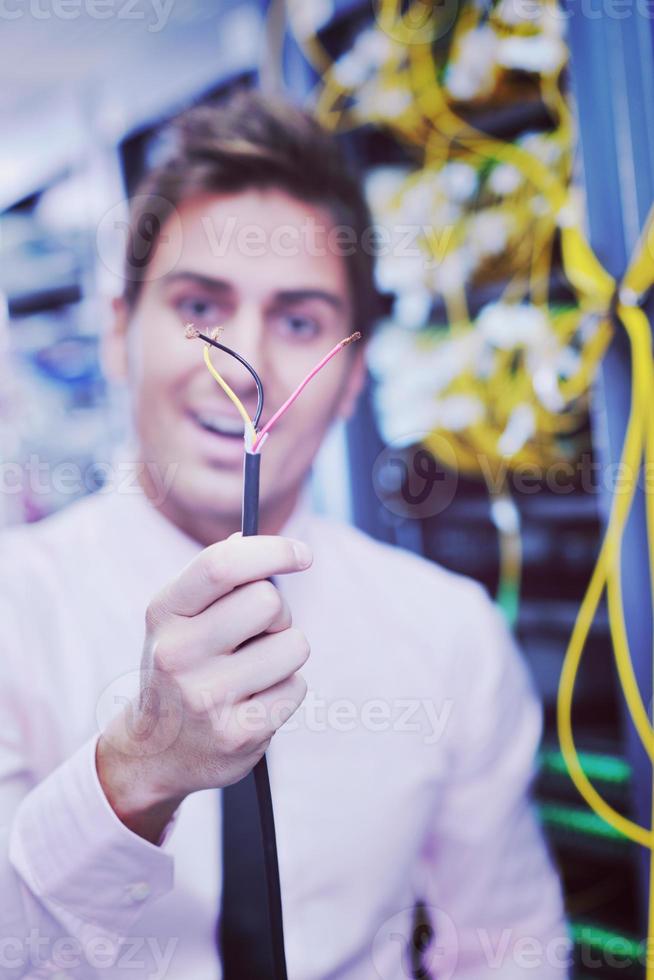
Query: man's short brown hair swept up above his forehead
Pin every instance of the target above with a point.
(251, 141)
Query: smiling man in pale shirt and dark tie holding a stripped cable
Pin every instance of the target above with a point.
(400, 751)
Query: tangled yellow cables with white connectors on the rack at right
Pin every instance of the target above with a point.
(511, 385)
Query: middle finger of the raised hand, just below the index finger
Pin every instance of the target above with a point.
(245, 613)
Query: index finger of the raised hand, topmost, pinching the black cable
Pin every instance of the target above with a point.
(221, 567)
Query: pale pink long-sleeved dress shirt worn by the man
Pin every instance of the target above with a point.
(404, 774)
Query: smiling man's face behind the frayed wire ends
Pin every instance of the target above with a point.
(281, 310)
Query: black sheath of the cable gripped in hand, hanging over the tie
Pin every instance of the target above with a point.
(250, 526)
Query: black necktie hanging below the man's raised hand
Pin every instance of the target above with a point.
(244, 932)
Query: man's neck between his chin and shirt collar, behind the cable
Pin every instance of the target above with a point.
(207, 527)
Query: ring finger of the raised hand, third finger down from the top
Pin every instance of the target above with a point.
(256, 667)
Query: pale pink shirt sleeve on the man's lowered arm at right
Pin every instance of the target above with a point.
(492, 893)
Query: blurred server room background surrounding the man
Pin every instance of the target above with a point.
(499, 390)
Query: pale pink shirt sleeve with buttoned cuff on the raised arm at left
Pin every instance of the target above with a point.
(74, 880)
